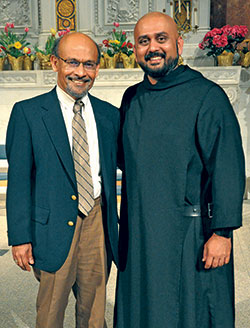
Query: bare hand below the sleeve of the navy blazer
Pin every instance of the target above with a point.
(22, 255)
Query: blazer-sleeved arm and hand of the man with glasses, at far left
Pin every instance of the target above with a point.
(20, 159)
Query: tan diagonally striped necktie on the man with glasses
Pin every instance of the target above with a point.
(81, 160)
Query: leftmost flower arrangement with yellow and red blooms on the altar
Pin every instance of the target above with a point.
(11, 43)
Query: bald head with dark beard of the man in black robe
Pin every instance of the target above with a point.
(157, 44)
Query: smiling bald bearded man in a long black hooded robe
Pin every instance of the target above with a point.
(183, 184)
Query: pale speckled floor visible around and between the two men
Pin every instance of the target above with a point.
(18, 289)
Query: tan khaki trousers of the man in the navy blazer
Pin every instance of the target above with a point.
(85, 269)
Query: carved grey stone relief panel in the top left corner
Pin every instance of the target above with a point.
(15, 11)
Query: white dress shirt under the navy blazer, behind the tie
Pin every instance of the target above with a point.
(67, 103)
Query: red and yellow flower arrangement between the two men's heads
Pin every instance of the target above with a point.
(118, 43)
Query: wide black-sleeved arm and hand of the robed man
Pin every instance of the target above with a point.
(222, 154)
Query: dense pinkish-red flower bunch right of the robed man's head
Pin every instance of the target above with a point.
(223, 39)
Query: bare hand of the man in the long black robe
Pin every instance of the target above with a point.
(216, 251)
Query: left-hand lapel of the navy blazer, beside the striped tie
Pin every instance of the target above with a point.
(54, 122)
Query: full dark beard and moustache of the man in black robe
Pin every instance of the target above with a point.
(158, 72)
